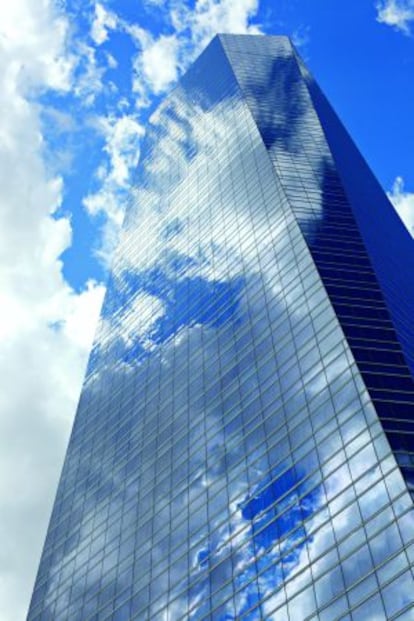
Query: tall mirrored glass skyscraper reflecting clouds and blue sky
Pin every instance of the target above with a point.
(243, 447)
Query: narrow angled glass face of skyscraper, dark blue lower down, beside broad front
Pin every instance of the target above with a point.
(311, 181)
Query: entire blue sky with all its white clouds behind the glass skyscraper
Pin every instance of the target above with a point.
(79, 79)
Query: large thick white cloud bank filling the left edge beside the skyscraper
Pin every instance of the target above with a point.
(45, 326)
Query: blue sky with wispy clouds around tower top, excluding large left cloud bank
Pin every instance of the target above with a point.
(127, 58)
